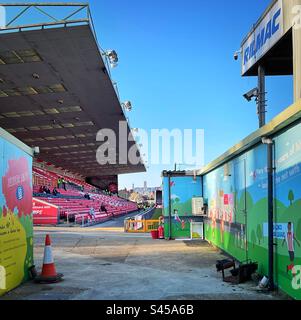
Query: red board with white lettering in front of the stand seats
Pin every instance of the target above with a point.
(44, 213)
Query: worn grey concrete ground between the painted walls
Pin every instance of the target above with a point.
(107, 264)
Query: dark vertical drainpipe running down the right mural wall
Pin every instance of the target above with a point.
(270, 165)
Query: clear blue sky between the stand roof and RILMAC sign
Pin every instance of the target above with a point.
(177, 68)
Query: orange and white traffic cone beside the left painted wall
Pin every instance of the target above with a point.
(49, 274)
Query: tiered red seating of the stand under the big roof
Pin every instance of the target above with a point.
(73, 203)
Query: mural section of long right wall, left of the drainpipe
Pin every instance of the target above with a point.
(237, 207)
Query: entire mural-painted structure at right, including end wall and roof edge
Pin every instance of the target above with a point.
(235, 188)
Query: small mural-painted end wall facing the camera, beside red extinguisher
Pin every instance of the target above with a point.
(183, 189)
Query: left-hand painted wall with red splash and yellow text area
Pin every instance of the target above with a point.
(16, 231)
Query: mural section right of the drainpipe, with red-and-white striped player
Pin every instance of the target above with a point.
(287, 231)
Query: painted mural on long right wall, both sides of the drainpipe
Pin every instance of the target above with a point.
(237, 205)
